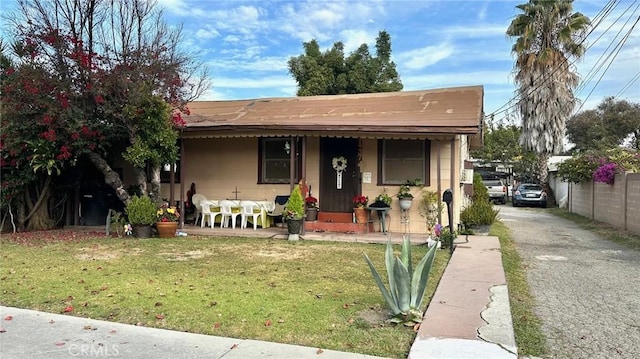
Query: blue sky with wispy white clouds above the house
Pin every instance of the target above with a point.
(246, 44)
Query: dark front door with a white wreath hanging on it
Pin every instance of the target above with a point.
(337, 191)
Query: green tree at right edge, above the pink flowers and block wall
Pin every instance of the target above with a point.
(608, 126)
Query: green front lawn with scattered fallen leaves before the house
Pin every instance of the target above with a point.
(318, 294)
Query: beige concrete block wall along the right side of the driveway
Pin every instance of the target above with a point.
(617, 204)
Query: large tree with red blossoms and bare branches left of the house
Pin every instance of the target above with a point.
(89, 79)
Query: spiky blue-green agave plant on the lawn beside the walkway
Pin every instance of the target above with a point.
(406, 285)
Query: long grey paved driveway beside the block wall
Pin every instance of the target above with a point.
(587, 289)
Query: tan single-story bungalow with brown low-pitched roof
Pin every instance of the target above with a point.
(340, 145)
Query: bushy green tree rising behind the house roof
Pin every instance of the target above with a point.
(330, 73)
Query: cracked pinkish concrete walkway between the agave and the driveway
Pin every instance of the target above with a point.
(469, 315)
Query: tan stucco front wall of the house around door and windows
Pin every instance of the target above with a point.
(218, 165)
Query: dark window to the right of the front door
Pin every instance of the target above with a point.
(403, 160)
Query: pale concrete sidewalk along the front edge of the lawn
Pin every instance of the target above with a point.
(32, 334)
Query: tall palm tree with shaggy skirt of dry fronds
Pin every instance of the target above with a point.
(548, 35)
